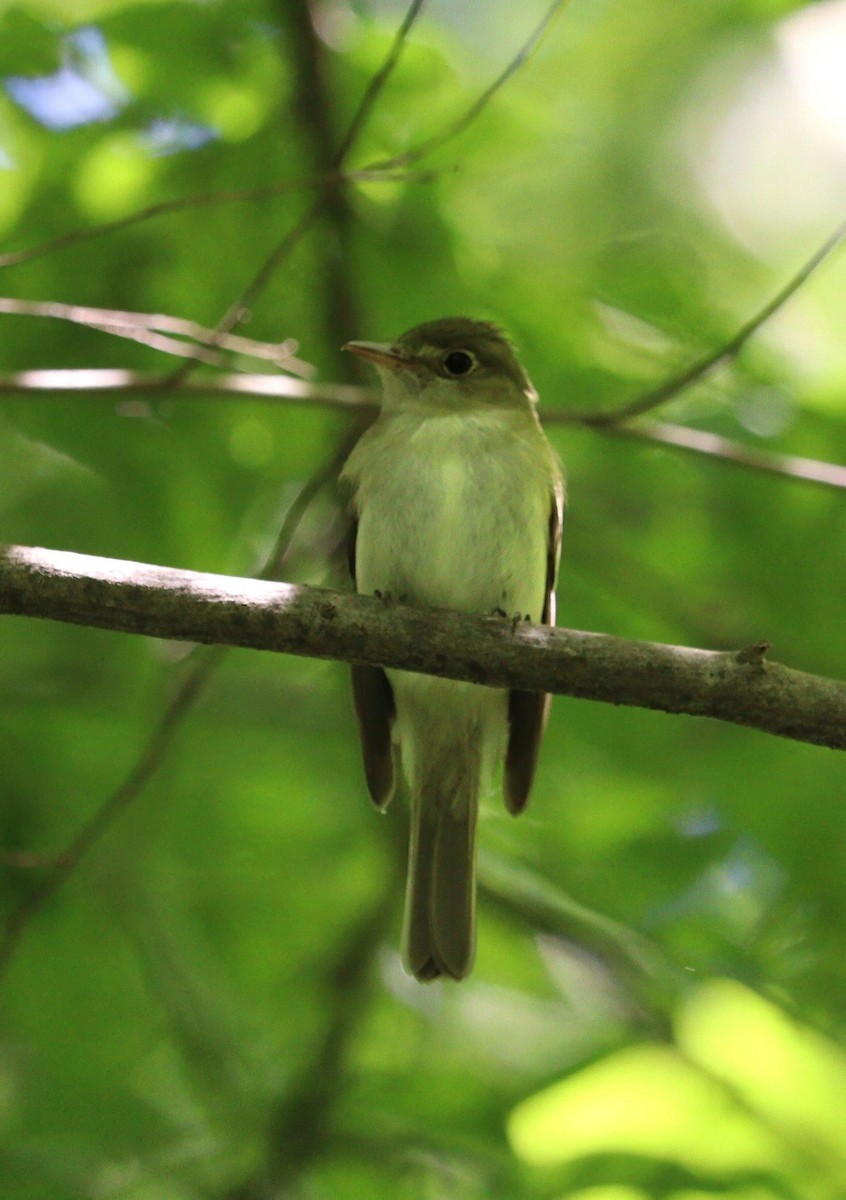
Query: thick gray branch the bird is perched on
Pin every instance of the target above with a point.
(137, 598)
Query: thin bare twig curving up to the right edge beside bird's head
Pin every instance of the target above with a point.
(725, 353)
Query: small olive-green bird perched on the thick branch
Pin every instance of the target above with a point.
(458, 502)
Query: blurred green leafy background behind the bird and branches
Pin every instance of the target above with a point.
(212, 1005)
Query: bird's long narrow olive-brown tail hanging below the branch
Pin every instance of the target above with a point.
(440, 935)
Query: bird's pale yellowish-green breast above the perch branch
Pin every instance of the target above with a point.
(457, 517)
